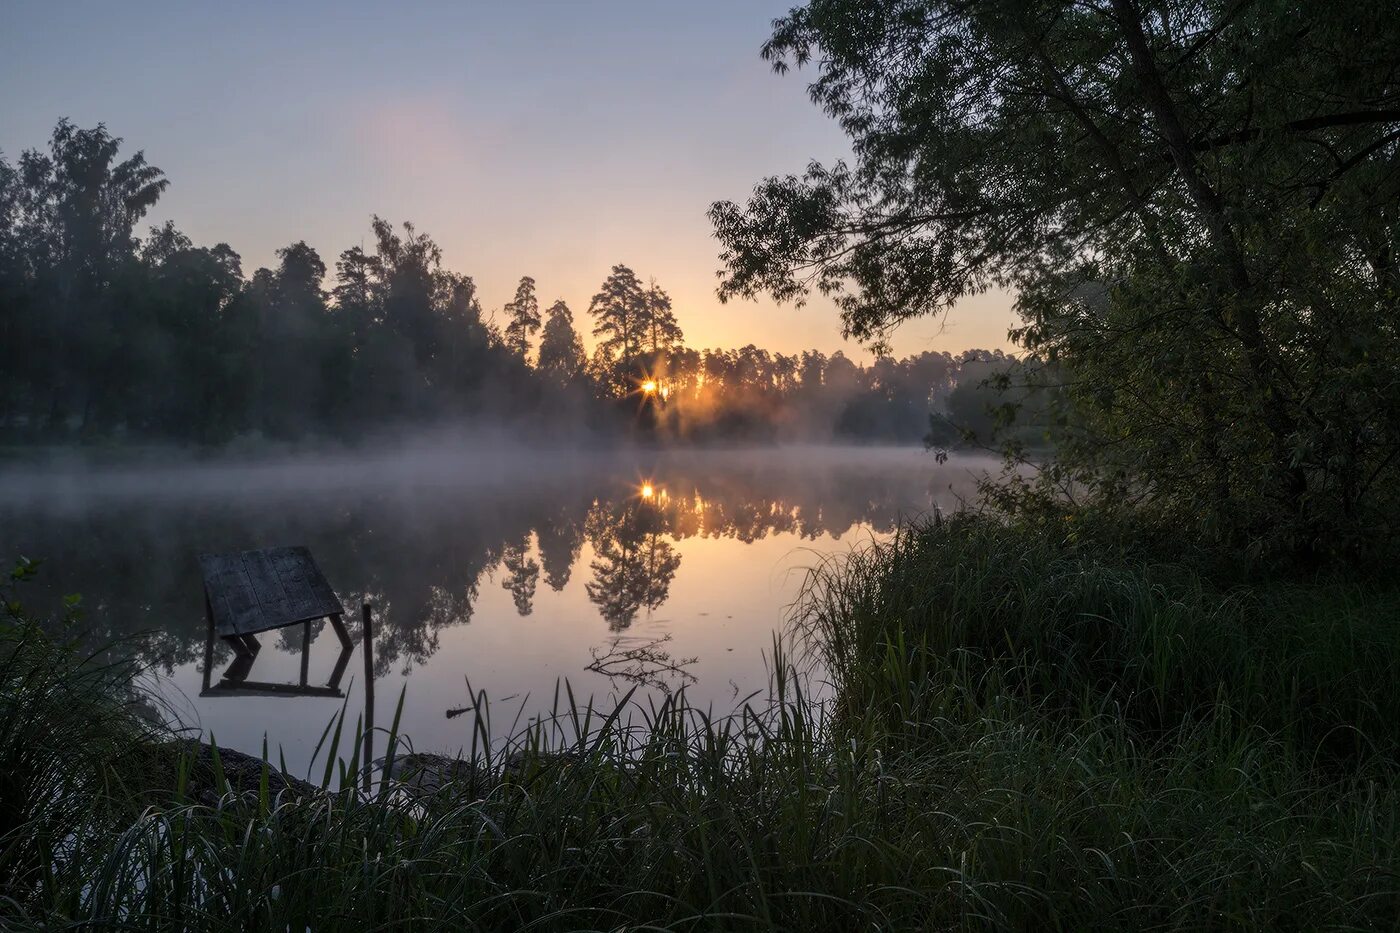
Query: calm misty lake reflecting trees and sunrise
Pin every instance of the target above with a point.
(489, 569)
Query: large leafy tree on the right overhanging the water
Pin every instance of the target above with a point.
(1196, 202)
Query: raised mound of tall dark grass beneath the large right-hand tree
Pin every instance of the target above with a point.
(999, 613)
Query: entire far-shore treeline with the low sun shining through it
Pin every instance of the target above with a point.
(106, 334)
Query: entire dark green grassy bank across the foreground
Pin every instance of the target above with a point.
(1027, 735)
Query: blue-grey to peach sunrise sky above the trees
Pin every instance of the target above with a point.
(542, 138)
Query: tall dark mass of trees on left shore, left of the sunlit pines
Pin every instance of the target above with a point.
(106, 333)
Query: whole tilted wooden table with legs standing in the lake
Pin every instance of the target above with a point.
(254, 592)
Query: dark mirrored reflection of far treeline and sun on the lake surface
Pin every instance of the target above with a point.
(422, 557)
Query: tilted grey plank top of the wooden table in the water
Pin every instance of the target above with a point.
(258, 590)
